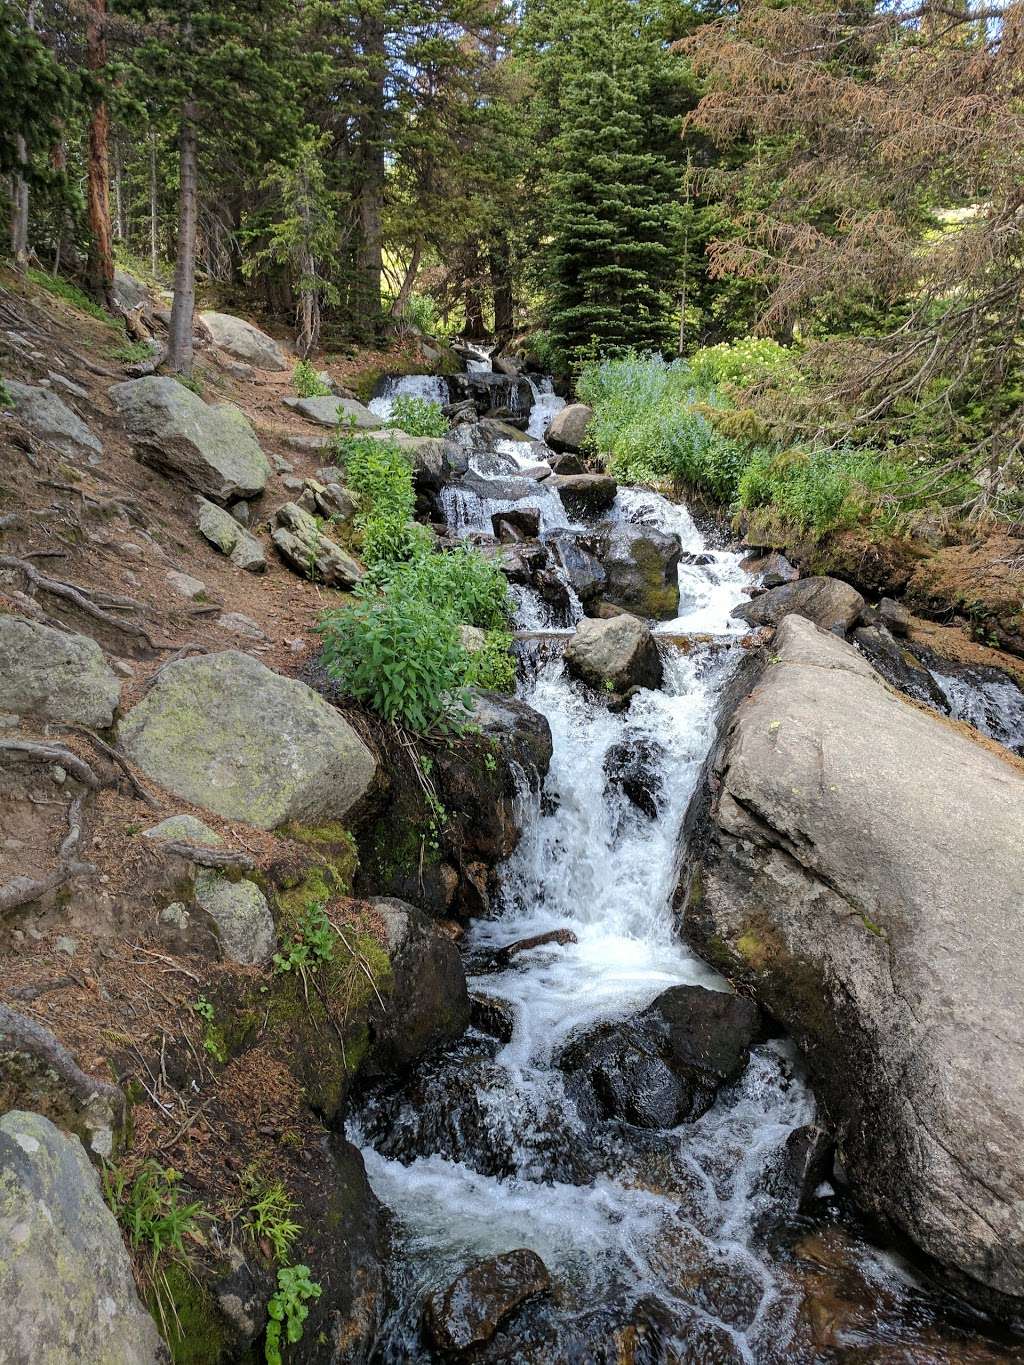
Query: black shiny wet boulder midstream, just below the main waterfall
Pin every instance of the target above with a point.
(666, 1065)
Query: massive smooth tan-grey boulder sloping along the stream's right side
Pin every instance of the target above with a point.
(858, 863)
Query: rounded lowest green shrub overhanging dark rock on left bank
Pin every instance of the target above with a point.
(401, 657)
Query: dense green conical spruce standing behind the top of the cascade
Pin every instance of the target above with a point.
(614, 185)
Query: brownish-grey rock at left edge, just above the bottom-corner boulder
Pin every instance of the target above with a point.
(39, 1074)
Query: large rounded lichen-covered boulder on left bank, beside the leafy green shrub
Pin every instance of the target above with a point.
(225, 732)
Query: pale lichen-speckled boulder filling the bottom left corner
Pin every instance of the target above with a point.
(66, 1285)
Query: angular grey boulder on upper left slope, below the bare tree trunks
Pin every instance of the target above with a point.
(211, 447)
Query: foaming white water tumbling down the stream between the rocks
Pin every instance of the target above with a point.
(593, 865)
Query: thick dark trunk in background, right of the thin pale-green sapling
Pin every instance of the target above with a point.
(371, 192)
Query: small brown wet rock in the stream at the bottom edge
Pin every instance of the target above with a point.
(470, 1311)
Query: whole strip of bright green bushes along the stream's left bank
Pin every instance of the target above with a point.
(398, 649)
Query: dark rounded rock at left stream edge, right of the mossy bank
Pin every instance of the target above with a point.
(429, 1004)
